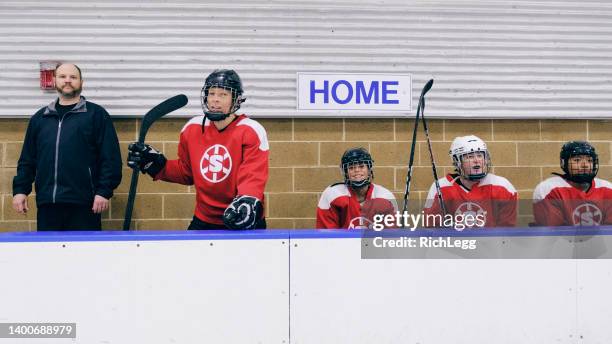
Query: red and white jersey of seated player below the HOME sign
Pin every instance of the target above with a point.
(339, 207)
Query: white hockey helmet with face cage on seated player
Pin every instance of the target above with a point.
(463, 145)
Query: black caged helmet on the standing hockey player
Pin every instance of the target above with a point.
(226, 79)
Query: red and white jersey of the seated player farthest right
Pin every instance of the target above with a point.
(558, 203)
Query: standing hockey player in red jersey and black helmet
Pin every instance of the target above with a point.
(225, 155)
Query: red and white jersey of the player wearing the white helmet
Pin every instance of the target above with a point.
(493, 198)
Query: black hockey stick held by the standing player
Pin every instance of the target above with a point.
(153, 115)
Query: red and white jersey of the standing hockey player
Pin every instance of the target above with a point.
(221, 164)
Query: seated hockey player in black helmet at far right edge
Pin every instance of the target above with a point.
(575, 198)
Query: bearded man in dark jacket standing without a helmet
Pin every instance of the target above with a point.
(71, 152)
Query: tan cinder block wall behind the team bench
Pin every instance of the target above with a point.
(304, 158)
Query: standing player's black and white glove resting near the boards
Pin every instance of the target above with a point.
(243, 213)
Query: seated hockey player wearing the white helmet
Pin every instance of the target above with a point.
(473, 192)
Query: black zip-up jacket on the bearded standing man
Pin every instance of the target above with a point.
(71, 160)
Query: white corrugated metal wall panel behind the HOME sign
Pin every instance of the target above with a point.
(513, 58)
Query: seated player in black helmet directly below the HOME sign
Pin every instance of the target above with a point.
(353, 203)
